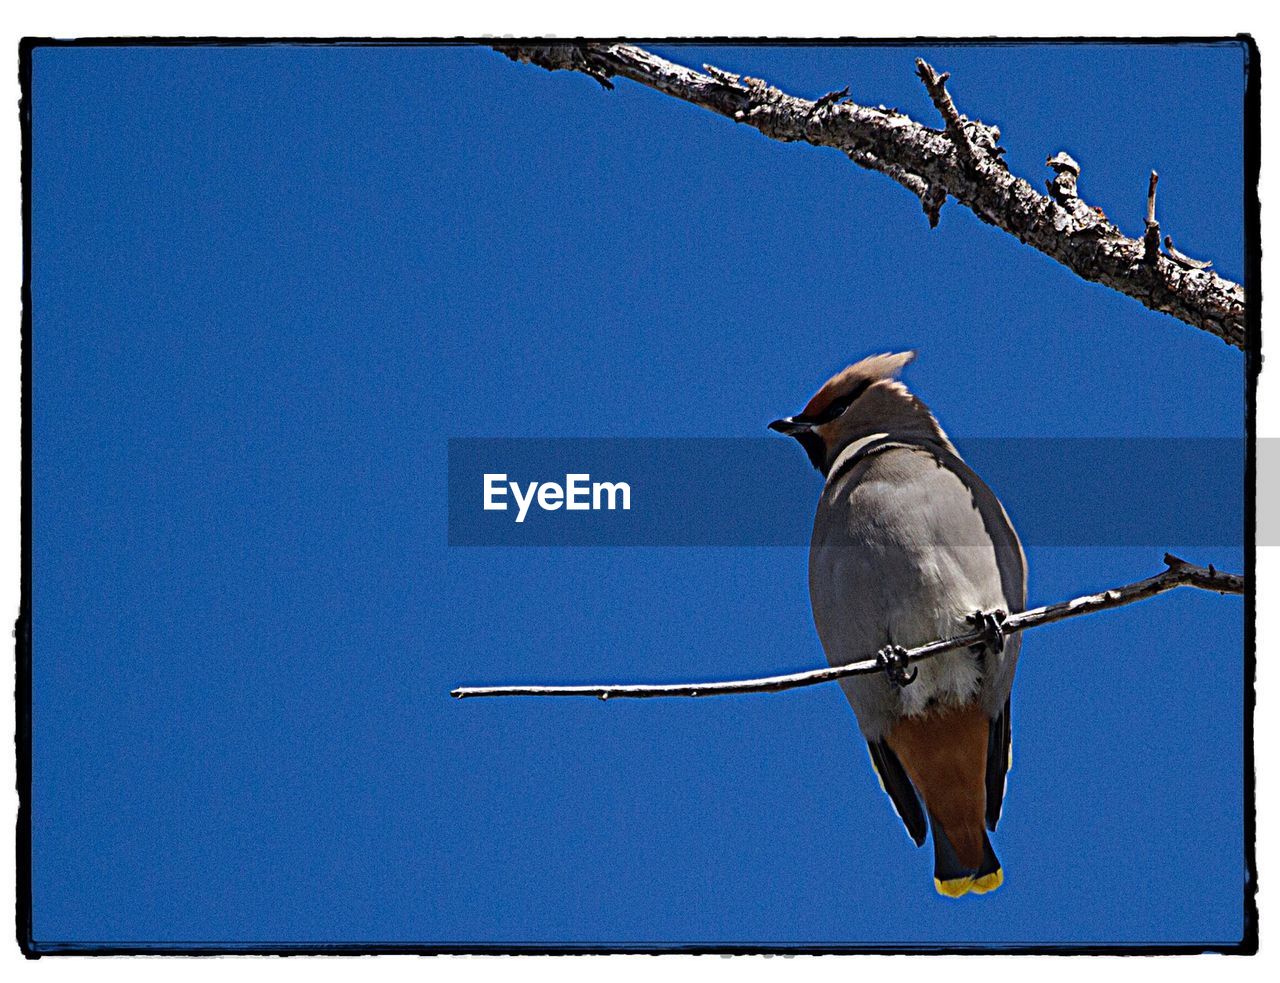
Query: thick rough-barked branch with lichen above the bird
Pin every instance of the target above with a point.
(962, 162)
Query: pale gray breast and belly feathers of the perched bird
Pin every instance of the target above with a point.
(908, 543)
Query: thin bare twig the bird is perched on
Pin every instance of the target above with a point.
(1180, 574)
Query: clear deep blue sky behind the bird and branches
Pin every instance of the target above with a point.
(271, 284)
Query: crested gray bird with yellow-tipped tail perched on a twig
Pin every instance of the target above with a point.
(909, 546)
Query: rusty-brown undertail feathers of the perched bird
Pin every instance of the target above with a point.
(945, 755)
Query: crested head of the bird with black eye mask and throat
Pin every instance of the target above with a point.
(862, 401)
